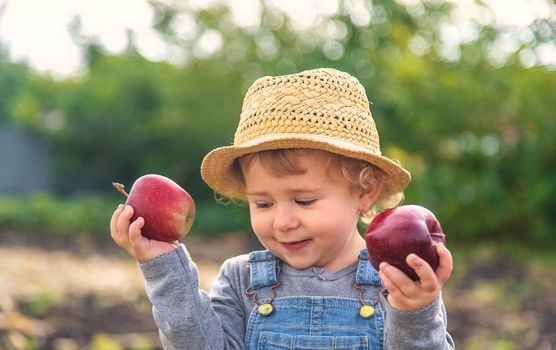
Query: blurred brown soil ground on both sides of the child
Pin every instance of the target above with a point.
(62, 294)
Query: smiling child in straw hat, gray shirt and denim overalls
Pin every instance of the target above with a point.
(306, 158)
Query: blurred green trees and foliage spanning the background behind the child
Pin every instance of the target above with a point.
(476, 133)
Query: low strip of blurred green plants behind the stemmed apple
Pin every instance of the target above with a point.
(90, 215)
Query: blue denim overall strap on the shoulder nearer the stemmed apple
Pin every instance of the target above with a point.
(263, 266)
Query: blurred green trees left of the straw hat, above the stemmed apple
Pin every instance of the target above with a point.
(128, 117)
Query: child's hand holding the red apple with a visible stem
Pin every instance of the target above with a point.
(128, 236)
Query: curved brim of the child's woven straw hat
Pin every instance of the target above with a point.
(217, 166)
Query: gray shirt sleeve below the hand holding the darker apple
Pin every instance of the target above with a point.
(420, 329)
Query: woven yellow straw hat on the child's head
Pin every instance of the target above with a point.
(321, 109)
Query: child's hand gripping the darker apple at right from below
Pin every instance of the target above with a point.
(408, 295)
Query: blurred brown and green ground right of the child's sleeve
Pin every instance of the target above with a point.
(500, 297)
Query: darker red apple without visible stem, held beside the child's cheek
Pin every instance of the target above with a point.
(397, 232)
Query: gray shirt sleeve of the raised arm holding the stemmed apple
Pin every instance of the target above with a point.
(186, 316)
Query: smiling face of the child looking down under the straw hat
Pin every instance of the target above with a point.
(308, 219)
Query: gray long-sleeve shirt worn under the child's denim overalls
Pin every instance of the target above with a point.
(190, 318)
